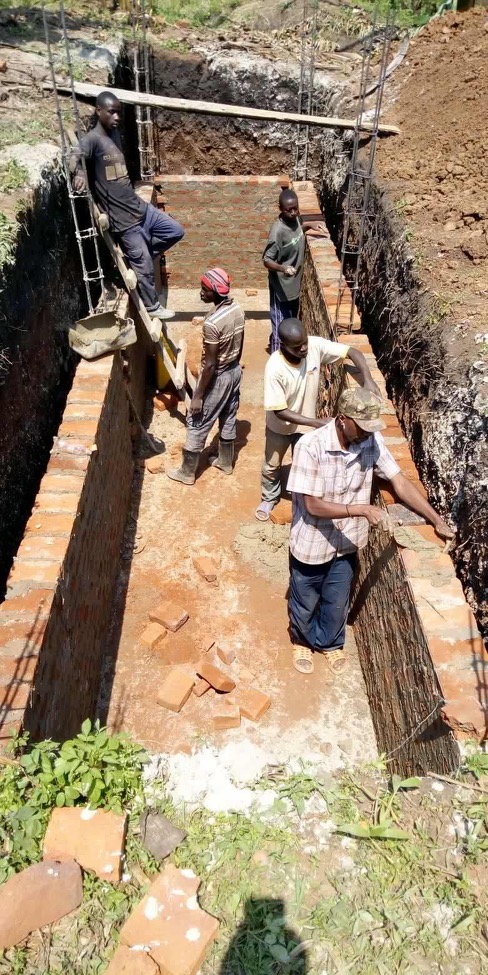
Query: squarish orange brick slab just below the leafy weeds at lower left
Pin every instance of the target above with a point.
(95, 838)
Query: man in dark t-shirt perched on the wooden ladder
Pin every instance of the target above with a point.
(142, 231)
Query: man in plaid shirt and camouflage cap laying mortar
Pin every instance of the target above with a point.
(330, 480)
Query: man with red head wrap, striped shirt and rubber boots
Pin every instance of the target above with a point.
(217, 390)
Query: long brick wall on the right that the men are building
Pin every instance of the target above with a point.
(422, 657)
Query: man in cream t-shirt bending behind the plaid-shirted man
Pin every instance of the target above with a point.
(291, 389)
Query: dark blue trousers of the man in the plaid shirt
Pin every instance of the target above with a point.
(318, 601)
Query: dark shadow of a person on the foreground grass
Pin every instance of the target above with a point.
(263, 944)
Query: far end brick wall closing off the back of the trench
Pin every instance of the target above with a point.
(226, 219)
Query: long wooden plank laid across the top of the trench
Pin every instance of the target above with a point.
(217, 108)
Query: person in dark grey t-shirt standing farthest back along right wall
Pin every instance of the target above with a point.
(283, 256)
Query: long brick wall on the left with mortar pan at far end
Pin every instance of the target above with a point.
(59, 592)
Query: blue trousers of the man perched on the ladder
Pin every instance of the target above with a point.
(143, 243)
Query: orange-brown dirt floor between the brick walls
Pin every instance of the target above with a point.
(308, 718)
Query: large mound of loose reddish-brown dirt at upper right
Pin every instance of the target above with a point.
(437, 169)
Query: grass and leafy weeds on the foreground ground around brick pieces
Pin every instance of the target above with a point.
(351, 873)
